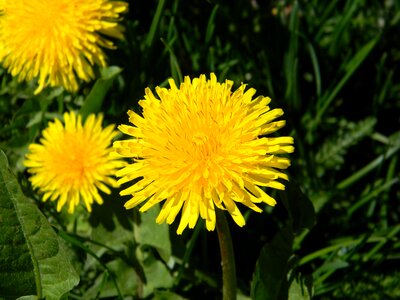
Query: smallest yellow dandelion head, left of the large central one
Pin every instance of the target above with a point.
(74, 161)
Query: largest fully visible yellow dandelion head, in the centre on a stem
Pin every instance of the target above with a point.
(202, 146)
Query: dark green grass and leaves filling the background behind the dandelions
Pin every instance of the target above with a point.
(334, 69)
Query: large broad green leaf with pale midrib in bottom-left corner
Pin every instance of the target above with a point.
(32, 259)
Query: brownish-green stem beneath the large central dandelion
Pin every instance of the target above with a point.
(227, 257)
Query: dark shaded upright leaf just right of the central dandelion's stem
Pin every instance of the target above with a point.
(270, 276)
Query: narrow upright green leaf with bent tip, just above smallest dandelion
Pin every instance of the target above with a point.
(94, 100)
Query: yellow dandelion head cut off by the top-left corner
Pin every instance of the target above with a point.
(57, 41)
